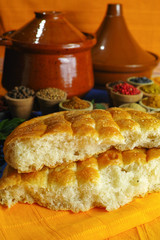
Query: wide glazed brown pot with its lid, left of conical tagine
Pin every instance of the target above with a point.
(48, 52)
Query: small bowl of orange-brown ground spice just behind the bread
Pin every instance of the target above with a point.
(75, 103)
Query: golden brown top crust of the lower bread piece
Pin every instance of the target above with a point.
(82, 171)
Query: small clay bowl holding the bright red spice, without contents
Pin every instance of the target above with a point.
(119, 99)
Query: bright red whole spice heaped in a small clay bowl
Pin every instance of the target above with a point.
(126, 89)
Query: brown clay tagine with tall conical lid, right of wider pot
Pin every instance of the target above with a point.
(116, 55)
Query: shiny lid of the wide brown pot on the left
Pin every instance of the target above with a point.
(51, 29)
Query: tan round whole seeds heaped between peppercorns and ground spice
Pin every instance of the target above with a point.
(51, 94)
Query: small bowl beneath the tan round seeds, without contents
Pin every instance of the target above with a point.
(48, 106)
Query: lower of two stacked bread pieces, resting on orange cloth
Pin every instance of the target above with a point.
(109, 180)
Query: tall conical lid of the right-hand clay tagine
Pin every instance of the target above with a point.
(116, 49)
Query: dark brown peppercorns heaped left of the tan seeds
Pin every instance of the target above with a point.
(21, 92)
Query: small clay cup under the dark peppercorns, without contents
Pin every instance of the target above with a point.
(20, 108)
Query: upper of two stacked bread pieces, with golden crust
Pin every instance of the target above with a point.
(76, 135)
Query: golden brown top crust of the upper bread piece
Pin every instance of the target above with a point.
(96, 123)
